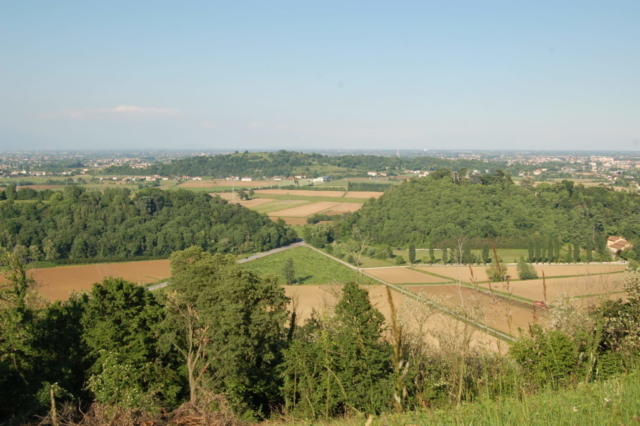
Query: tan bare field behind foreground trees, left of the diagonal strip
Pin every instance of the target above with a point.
(323, 297)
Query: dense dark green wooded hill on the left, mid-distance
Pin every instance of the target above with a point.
(79, 224)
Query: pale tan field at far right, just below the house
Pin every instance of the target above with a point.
(556, 287)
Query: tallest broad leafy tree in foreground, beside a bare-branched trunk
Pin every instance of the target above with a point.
(237, 320)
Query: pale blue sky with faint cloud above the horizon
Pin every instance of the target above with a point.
(325, 74)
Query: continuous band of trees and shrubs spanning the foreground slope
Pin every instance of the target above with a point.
(219, 344)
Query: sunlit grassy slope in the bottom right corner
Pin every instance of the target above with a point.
(613, 402)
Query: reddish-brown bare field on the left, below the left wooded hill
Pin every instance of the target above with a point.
(57, 283)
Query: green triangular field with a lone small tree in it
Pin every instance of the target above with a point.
(311, 267)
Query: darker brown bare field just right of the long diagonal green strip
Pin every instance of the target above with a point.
(499, 314)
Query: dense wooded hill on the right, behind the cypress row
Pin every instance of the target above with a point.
(445, 207)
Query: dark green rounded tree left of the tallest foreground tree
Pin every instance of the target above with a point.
(121, 324)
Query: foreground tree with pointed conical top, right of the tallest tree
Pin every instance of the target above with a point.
(339, 364)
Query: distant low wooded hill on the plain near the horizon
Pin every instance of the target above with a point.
(287, 163)
